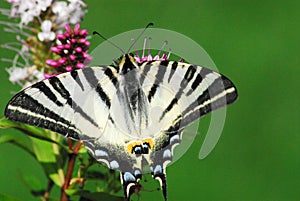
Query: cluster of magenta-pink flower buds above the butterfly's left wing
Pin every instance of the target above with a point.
(71, 49)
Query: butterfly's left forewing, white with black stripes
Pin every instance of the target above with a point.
(74, 104)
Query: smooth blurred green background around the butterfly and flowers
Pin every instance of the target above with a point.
(256, 44)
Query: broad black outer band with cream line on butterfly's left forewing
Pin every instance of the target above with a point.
(25, 109)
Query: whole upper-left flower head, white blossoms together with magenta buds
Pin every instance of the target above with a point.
(36, 24)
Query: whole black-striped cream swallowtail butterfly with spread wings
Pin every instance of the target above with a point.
(129, 115)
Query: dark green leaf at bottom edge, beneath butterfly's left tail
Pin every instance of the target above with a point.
(94, 196)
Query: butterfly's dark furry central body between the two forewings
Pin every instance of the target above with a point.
(131, 98)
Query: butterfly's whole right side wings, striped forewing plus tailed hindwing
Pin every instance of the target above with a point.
(179, 94)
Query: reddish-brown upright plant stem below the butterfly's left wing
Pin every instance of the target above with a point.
(70, 168)
